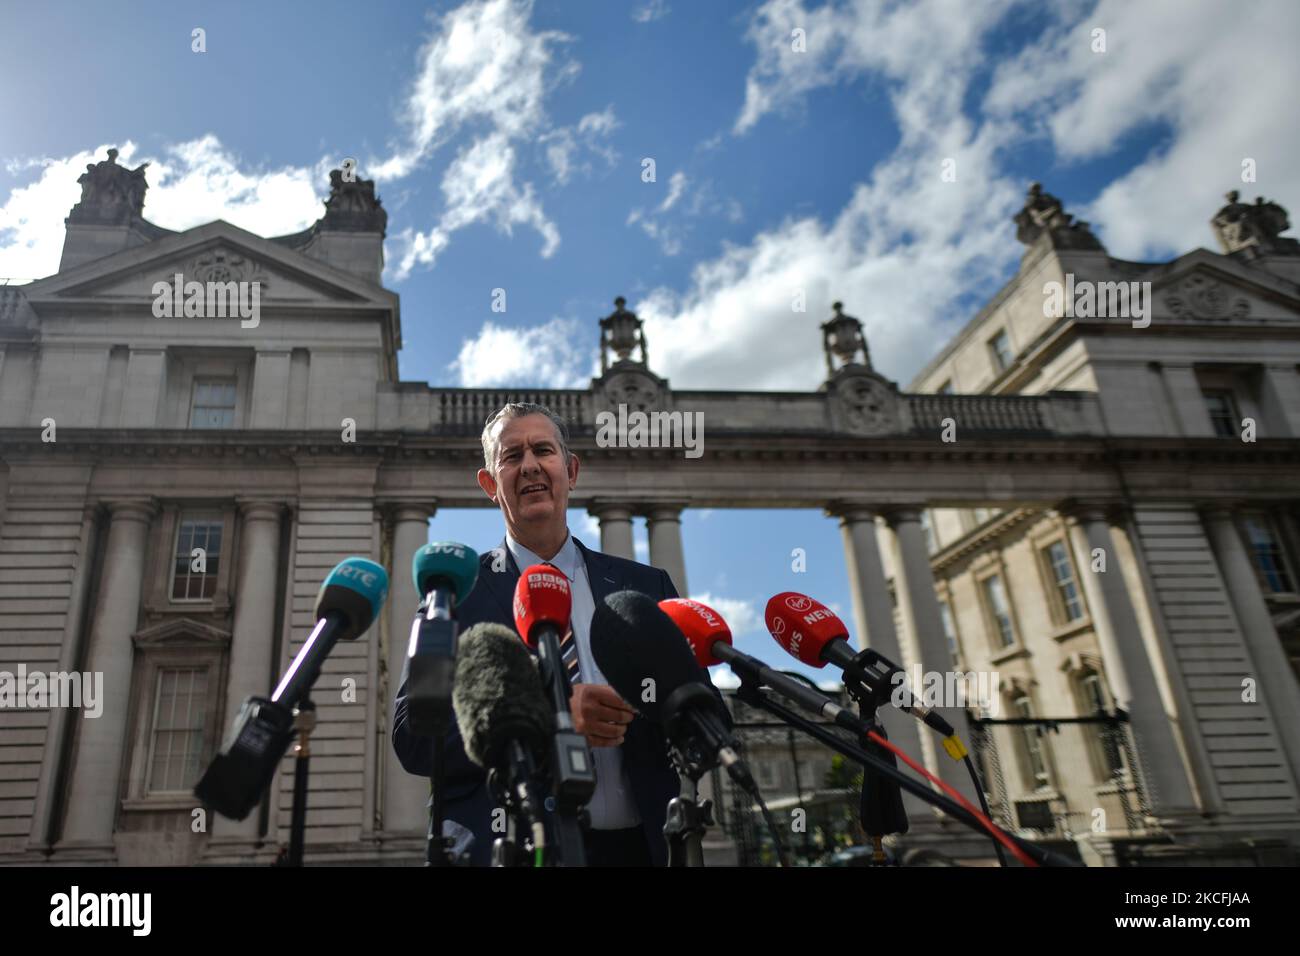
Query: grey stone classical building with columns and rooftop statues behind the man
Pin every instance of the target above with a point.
(180, 466)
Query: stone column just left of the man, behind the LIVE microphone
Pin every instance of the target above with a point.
(405, 797)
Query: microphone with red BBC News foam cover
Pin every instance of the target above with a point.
(543, 605)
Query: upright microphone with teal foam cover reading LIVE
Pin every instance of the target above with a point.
(444, 576)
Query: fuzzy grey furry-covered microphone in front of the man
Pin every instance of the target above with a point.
(504, 717)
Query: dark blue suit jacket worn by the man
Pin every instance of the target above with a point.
(645, 758)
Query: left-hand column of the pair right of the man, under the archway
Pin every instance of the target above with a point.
(873, 618)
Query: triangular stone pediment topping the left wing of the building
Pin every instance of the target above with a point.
(218, 253)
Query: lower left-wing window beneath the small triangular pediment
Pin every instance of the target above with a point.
(176, 745)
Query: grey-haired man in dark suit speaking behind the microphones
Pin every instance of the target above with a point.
(528, 473)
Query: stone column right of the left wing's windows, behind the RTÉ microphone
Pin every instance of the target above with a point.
(254, 635)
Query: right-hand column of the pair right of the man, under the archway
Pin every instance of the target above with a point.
(915, 585)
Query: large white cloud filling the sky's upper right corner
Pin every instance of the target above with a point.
(1195, 81)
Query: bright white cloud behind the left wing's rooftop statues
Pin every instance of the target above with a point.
(190, 184)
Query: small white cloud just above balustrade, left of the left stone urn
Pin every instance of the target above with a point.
(541, 357)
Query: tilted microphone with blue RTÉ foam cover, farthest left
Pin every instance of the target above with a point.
(346, 605)
